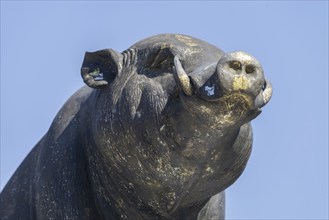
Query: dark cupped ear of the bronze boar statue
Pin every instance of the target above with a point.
(101, 67)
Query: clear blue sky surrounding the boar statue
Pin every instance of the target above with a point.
(43, 44)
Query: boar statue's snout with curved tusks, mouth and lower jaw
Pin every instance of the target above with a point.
(234, 90)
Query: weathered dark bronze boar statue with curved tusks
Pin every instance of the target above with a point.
(161, 130)
